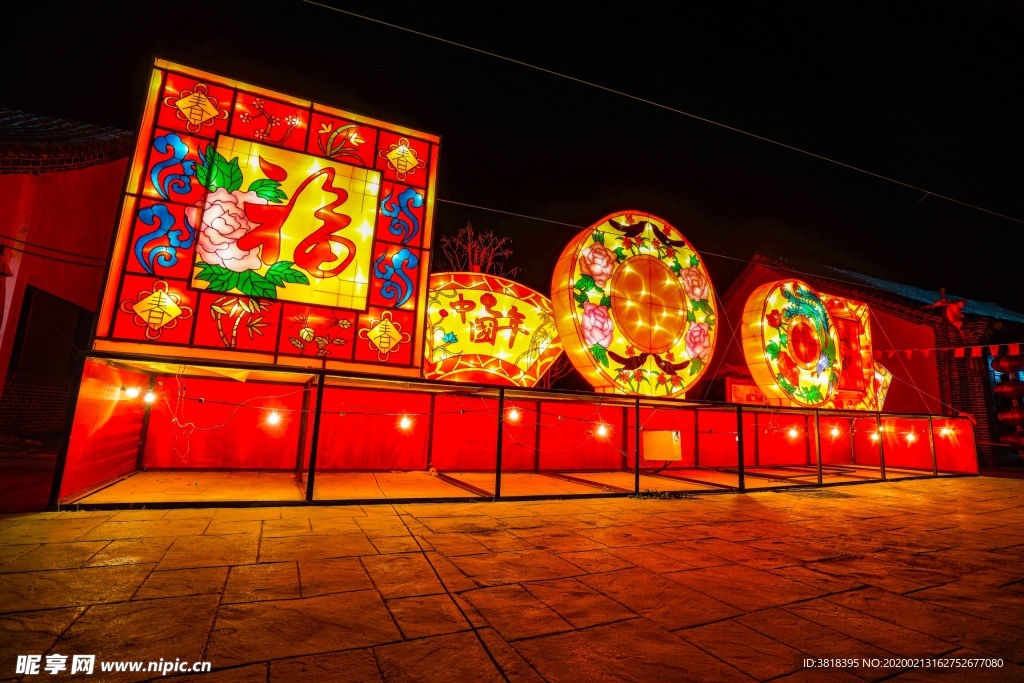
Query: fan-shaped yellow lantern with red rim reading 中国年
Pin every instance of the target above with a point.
(488, 330)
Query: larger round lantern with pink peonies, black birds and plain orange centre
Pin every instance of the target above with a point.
(634, 307)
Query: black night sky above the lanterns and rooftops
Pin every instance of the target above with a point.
(927, 95)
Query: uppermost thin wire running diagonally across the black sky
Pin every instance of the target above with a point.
(674, 110)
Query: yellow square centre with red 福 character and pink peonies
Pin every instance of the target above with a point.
(322, 222)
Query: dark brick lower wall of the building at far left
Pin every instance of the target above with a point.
(34, 405)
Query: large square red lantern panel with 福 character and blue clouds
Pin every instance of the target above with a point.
(265, 229)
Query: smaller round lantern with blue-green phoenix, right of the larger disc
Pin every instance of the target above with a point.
(791, 344)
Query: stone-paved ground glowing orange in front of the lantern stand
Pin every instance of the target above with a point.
(712, 588)
